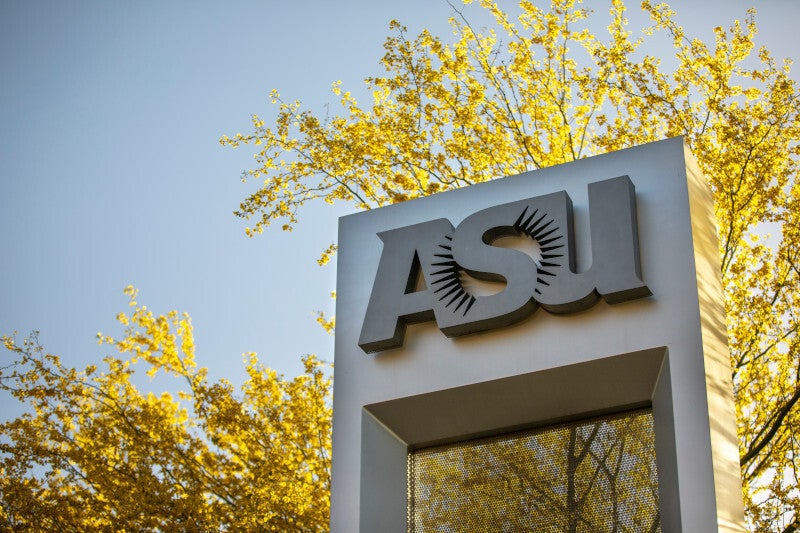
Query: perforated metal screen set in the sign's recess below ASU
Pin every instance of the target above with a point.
(595, 475)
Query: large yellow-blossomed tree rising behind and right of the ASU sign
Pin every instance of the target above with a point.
(542, 89)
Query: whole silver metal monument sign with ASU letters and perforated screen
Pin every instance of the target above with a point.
(547, 348)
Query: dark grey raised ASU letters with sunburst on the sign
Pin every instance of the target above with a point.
(445, 255)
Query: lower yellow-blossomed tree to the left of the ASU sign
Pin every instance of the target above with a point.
(96, 454)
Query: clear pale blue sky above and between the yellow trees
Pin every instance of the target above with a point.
(111, 172)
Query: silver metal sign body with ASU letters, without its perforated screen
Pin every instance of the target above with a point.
(615, 258)
